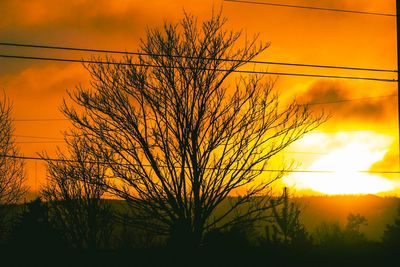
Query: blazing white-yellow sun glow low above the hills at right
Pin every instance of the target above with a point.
(349, 154)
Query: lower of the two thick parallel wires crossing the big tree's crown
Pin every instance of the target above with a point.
(223, 70)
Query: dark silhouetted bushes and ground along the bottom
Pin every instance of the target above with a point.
(34, 238)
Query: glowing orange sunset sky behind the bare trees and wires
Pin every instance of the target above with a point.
(296, 35)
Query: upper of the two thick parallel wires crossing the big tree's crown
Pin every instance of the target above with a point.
(163, 55)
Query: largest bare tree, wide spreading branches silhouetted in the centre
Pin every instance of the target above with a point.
(178, 138)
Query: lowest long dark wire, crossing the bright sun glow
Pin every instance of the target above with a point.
(209, 168)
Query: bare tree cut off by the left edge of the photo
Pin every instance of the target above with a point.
(11, 167)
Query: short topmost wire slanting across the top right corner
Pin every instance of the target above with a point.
(313, 8)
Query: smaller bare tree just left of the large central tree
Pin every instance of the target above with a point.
(73, 194)
